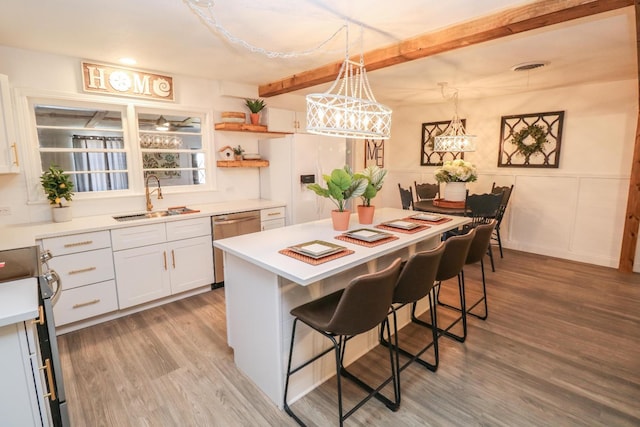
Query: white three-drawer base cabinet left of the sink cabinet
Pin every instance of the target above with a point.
(84, 263)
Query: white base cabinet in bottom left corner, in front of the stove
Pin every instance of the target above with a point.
(20, 393)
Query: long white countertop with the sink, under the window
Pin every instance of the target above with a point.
(23, 235)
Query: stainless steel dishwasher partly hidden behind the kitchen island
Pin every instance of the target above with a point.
(231, 225)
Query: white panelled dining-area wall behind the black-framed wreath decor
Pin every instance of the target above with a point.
(574, 212)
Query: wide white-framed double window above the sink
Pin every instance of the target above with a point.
(112, 148)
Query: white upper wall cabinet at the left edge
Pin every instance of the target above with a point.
(9, 162)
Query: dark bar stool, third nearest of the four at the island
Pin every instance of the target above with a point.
(455, 254)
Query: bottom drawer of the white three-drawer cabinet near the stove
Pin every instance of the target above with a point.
(85, 302)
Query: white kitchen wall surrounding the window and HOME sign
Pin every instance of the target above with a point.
(37, 71)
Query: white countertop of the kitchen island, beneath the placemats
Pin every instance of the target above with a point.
(262, 248)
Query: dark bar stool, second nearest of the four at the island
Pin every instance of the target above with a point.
(416, 281)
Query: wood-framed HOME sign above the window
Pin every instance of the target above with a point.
(112, 80)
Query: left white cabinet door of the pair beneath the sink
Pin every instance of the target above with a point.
(142, 274)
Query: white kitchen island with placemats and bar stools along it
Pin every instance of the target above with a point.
(263, 285)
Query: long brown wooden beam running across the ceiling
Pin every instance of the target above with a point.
(491, 27)
